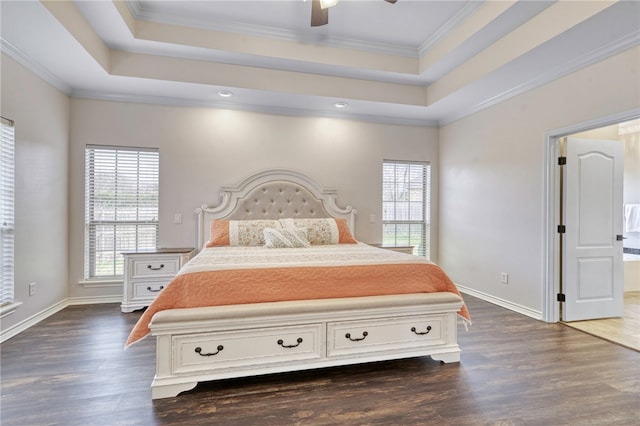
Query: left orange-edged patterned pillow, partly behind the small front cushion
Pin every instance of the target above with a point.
(240, 232)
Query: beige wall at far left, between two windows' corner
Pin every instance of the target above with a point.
(41, 116)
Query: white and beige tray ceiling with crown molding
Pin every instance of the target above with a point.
(413, 62)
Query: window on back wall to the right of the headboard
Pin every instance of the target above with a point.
(406, 205)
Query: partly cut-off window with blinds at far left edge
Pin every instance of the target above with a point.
(7, 182)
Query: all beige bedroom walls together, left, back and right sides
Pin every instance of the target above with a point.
(487, 168)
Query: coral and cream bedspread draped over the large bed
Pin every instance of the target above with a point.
(236, 275)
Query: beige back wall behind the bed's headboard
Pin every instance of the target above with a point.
(202, 149)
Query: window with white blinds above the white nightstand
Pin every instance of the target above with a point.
(121, 213)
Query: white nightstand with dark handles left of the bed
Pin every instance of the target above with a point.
(149, 271)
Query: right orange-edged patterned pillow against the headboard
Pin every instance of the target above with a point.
(322, 231)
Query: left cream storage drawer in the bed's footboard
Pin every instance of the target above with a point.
(244, 348)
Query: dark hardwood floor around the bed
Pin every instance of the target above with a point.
(71, 369)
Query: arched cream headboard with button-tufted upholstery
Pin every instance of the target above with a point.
(273, 194)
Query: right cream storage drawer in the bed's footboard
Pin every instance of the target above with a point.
(353, 337)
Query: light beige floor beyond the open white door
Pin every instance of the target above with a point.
(624, 331)
